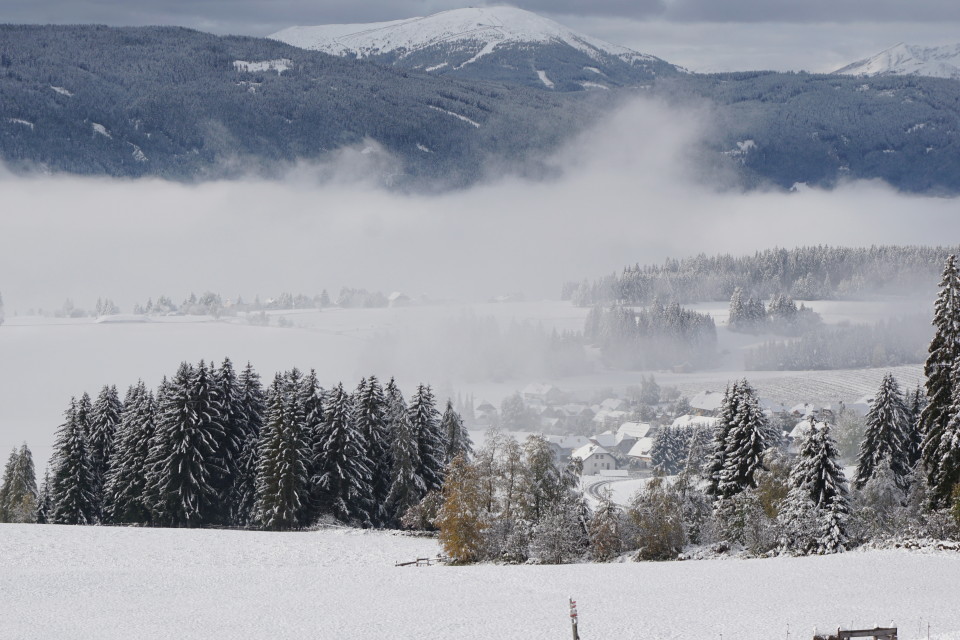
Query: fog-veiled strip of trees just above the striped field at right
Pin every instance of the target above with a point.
(884, 344)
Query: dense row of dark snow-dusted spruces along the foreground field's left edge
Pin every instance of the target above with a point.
(212, 447)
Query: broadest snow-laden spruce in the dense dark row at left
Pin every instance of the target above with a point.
(183, 453)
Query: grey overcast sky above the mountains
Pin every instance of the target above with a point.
(702, 35)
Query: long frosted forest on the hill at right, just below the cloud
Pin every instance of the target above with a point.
(805, 273)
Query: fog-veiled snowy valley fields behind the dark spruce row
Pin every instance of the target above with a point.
(343, 345)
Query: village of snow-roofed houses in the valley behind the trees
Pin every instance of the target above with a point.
(613, 434)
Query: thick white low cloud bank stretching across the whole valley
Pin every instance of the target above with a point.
(628, 191)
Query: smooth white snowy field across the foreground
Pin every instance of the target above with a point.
(100, 582)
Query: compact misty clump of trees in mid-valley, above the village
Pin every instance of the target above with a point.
(661, 336)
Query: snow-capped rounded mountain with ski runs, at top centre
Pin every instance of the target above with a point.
(496, 43)
